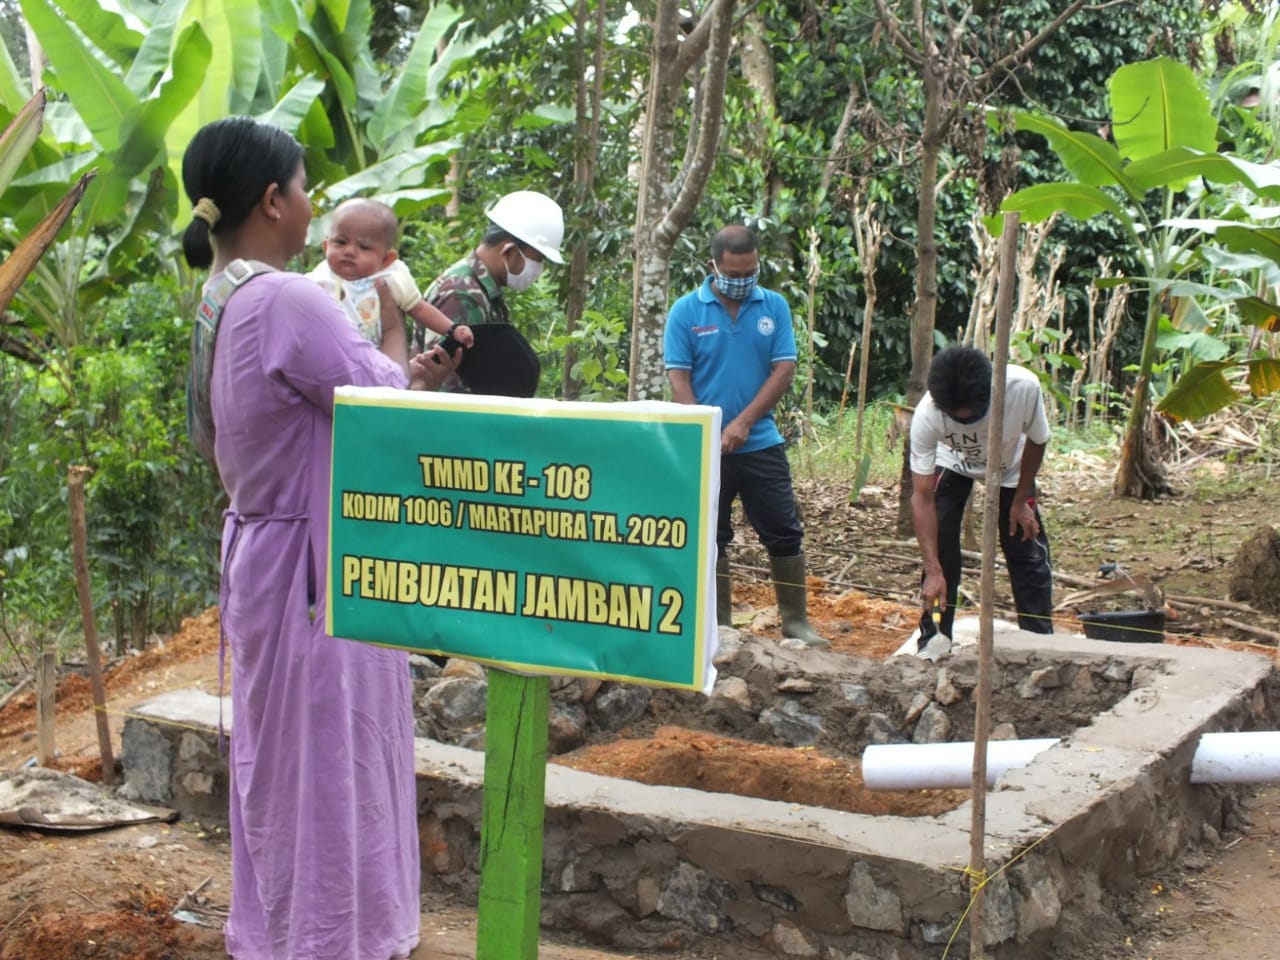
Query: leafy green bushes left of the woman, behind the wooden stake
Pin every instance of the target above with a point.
(152, 508)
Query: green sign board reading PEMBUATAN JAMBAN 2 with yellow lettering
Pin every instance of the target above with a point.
(537, 536)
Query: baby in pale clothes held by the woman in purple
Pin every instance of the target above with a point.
(362, 249)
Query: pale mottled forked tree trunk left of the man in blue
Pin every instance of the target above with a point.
(662, 211)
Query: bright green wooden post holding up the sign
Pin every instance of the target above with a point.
(513, 813)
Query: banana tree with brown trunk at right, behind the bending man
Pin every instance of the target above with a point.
(1164, 145)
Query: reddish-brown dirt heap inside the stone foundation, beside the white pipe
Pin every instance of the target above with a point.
(676, 757)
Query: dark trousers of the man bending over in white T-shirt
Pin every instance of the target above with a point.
(1028, 561)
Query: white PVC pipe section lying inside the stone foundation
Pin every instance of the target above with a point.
(941, 766)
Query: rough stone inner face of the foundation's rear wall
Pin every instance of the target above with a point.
(840, 705)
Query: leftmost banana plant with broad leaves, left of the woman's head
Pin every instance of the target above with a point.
(121, 84)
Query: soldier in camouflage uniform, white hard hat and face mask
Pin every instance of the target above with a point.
(527, 228)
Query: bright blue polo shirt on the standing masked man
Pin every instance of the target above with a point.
(730, 359)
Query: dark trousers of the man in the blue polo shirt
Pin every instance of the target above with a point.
(762, 479)
